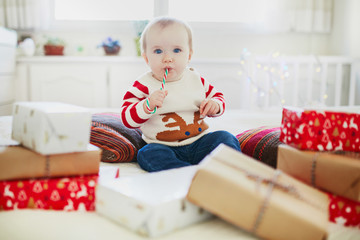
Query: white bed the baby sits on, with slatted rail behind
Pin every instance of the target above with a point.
(265, 84)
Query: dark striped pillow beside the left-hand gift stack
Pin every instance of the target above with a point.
(119, 143)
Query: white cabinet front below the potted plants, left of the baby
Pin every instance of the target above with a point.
(79, 84)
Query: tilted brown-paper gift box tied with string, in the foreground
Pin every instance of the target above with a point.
(257, 198)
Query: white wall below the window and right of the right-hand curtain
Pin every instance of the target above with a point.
(214, 42)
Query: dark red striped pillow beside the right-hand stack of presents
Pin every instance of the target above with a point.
(261, 143)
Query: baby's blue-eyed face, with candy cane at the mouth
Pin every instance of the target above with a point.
(167, 48)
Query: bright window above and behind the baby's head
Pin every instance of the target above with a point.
(129, 10)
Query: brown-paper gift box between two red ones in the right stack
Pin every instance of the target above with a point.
(335, 173)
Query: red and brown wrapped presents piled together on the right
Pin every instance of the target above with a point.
(316, 181)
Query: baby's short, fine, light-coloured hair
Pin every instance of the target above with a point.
(164, 22)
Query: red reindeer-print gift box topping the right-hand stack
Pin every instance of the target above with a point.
(321, 130)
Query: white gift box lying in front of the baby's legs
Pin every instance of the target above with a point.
(151, 204)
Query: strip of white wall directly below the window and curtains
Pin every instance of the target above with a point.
(206, 44)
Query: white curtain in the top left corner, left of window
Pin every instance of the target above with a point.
(25, 14)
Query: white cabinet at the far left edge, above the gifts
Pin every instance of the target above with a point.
(7, 70)
